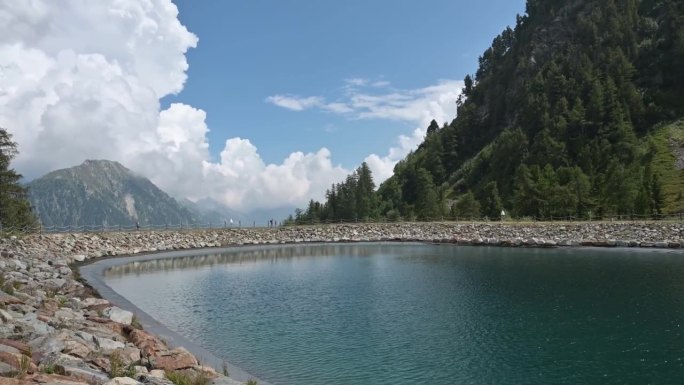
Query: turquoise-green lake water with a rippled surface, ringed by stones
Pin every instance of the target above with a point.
(425, 314)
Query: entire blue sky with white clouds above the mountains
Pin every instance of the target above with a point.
(256, 104)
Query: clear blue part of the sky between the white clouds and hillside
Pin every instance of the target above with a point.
(250, 50)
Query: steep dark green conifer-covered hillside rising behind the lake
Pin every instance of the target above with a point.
(573, 113)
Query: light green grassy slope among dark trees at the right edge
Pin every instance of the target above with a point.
(668, 141)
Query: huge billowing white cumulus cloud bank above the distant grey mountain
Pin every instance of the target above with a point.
(83, 79)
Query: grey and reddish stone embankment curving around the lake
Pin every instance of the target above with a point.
(55, 330)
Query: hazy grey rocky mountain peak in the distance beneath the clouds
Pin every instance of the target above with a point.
(102, 192)
